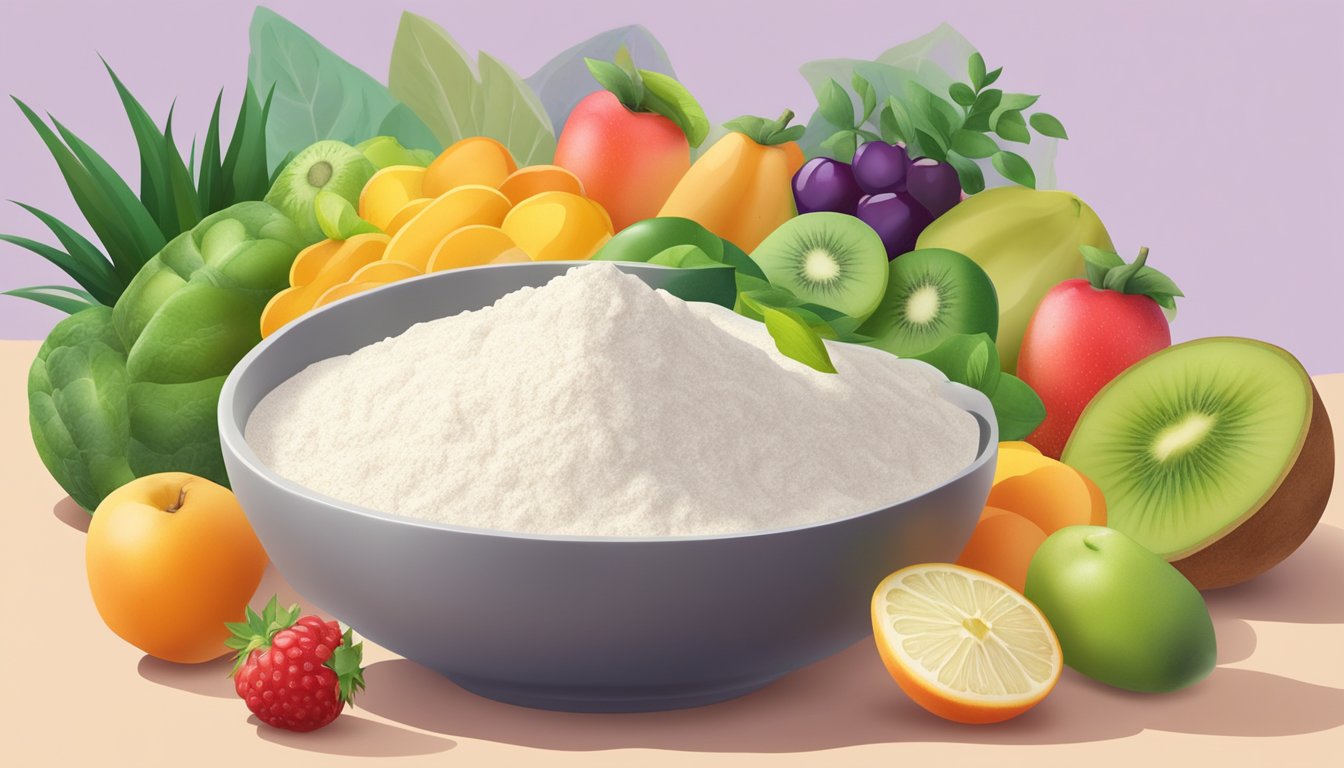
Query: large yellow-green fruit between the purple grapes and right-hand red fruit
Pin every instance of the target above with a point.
(1026, 241)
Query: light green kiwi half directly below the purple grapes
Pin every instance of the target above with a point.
(827, 259)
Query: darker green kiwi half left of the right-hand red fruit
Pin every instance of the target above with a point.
(932, 294)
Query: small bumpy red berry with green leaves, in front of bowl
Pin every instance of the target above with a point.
(295, 673)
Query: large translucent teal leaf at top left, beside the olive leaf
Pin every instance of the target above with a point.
(318, 95)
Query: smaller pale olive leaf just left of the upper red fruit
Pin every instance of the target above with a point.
(513, 115)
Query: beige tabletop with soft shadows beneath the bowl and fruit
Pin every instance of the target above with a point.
(79, 696)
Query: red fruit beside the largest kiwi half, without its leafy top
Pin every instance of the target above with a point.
(1079, 341)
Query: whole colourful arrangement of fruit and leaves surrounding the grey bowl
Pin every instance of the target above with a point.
(1132, 475)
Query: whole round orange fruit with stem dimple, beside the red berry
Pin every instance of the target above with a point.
(171, 559)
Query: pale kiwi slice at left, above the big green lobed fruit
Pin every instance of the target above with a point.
(333, 166)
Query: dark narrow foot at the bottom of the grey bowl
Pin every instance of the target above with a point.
(601, 700)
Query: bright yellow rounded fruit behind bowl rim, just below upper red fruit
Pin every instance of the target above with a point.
(558, 227)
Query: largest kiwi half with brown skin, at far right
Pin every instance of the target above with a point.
(1216, 454)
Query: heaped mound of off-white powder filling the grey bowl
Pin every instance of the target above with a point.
(599, 407)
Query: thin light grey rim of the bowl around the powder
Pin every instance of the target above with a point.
(232, 439)
